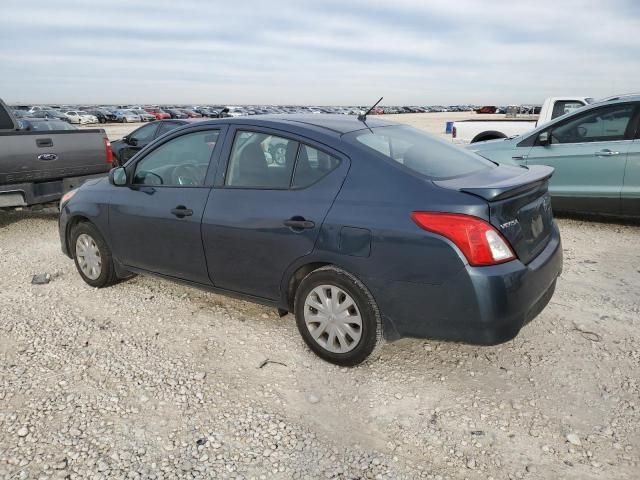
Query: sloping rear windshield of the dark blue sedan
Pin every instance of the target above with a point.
(421, 152)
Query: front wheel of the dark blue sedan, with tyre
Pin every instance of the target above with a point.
(92, 256)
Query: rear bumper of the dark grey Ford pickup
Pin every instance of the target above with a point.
(25, 194)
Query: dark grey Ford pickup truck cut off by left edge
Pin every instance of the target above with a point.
(40, 166)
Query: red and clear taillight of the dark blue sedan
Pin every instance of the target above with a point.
(478, 240)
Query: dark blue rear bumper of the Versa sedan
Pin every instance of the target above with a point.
(479, 305)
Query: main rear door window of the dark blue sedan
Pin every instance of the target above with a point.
(261, 160)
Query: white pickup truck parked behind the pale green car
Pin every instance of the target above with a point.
(471, 131)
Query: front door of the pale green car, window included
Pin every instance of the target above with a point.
(588, 151)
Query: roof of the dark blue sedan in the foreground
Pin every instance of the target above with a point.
(336, 123)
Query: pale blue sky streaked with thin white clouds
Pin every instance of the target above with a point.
(316, 52)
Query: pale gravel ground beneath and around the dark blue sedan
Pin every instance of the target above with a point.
(150, 379)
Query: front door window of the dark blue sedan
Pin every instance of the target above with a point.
(182, 161)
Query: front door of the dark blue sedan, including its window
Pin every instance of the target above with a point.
(155, 219)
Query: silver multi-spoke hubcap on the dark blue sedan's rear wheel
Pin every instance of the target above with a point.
(333, 319)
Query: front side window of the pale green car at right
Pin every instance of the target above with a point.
(598, 125)
